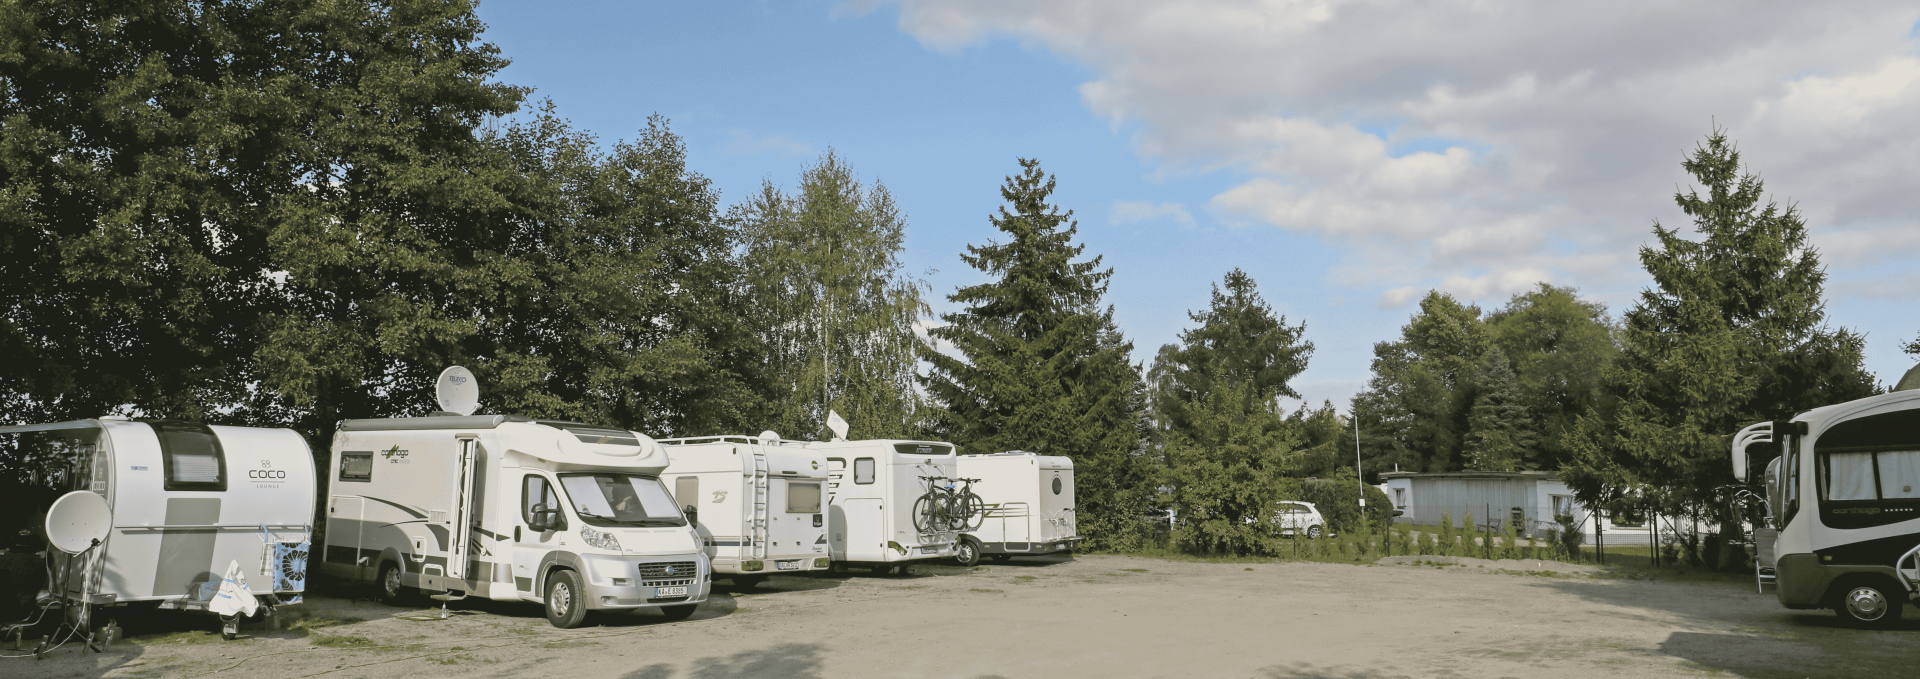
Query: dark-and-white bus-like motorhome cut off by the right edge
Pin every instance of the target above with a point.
(1842, 507)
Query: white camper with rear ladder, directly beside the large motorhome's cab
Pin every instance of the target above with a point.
(757, 503)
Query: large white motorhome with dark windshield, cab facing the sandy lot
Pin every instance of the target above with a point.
(510, 509)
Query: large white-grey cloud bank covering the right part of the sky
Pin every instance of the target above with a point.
(1483, 147)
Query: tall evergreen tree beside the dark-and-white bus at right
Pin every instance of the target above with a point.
(1731, 333)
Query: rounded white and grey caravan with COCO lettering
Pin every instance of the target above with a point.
(187, 502)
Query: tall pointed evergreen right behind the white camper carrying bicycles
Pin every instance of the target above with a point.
(1042, 365)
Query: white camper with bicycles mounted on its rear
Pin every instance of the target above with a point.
(873, 488)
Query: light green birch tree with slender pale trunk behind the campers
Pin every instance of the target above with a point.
(834, 306)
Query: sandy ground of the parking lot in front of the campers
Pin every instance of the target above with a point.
(1090, 617)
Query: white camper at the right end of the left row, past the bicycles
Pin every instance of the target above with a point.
(1030, 505)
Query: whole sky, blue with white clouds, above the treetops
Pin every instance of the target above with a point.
(1349, 156)
